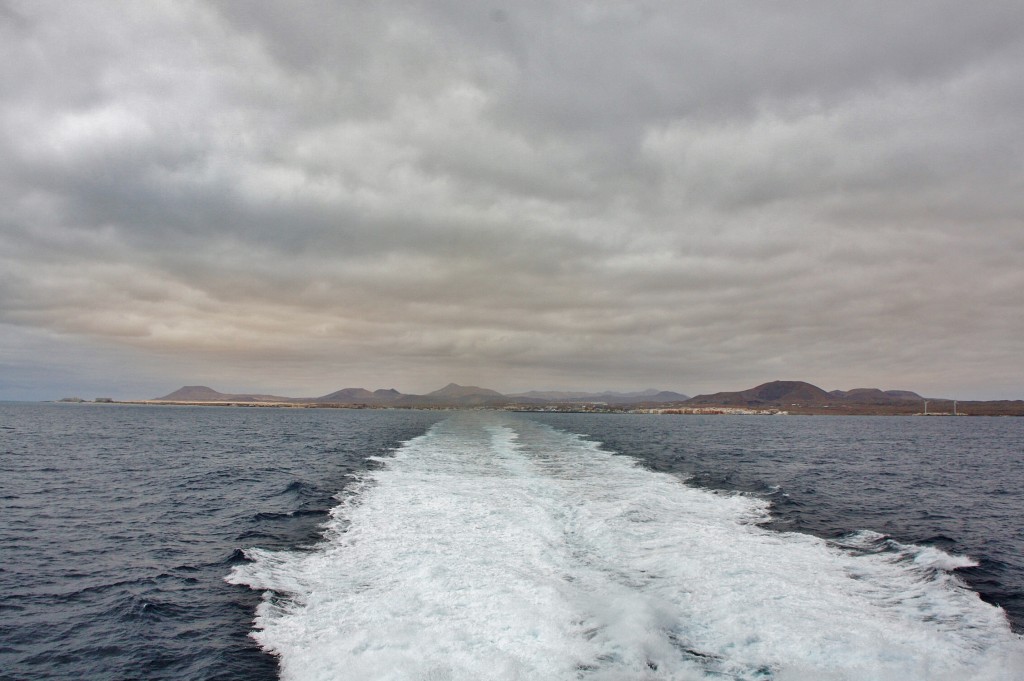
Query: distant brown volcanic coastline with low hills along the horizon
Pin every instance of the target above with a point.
(775, 398)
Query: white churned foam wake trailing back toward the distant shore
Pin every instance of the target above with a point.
(497, 548)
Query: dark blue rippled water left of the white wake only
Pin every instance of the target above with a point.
(119, 524)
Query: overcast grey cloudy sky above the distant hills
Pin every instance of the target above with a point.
(296, 198)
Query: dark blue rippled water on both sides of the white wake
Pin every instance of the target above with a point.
(118, 525)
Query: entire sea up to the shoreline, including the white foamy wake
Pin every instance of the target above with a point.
(201, 543)
